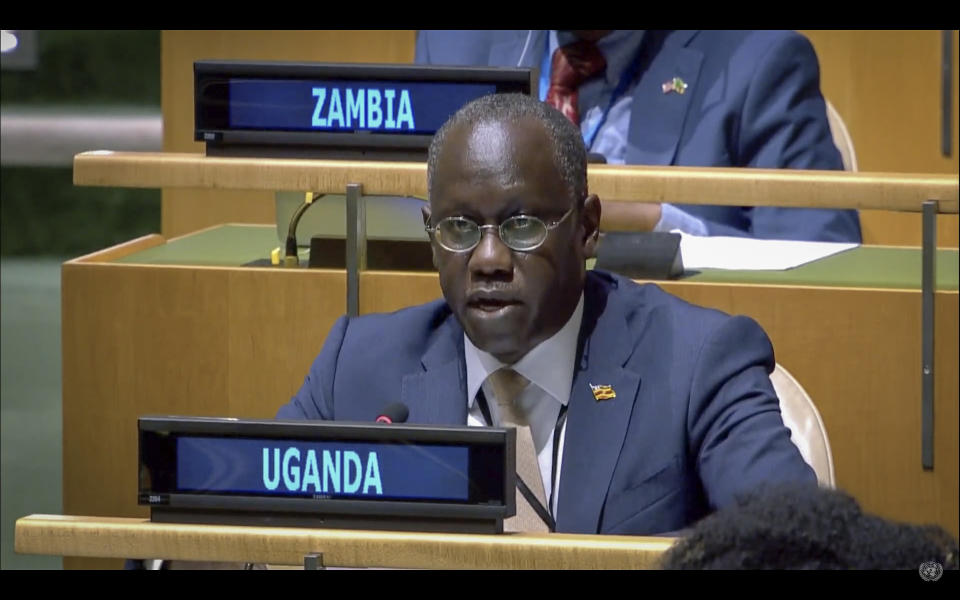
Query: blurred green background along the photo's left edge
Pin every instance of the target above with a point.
(45, 220)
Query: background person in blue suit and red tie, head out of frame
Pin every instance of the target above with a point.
(690, 98)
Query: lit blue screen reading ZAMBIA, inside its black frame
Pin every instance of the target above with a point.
(417, 108)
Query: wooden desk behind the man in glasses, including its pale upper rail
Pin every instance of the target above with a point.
(167, 334)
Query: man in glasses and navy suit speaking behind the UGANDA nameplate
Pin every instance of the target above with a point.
(646, 412)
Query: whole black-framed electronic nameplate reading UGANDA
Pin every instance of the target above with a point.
(322, 473)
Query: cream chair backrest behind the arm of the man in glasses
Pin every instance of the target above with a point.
(807, 431)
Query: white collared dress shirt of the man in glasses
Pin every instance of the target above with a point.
(549, 368)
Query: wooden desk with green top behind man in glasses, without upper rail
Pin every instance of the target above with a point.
(147, 330)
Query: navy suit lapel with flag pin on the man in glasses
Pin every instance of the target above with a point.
(596, 429)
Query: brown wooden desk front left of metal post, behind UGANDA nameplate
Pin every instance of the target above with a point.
(174, 340)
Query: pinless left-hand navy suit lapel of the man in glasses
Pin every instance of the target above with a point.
(437, 394)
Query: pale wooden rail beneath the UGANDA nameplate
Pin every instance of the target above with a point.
(88, 536)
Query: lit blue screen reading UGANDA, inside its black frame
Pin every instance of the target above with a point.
(322, 469)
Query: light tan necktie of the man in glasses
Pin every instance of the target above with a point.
(507, 385)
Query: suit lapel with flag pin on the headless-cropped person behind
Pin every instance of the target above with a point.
(656, 117)
